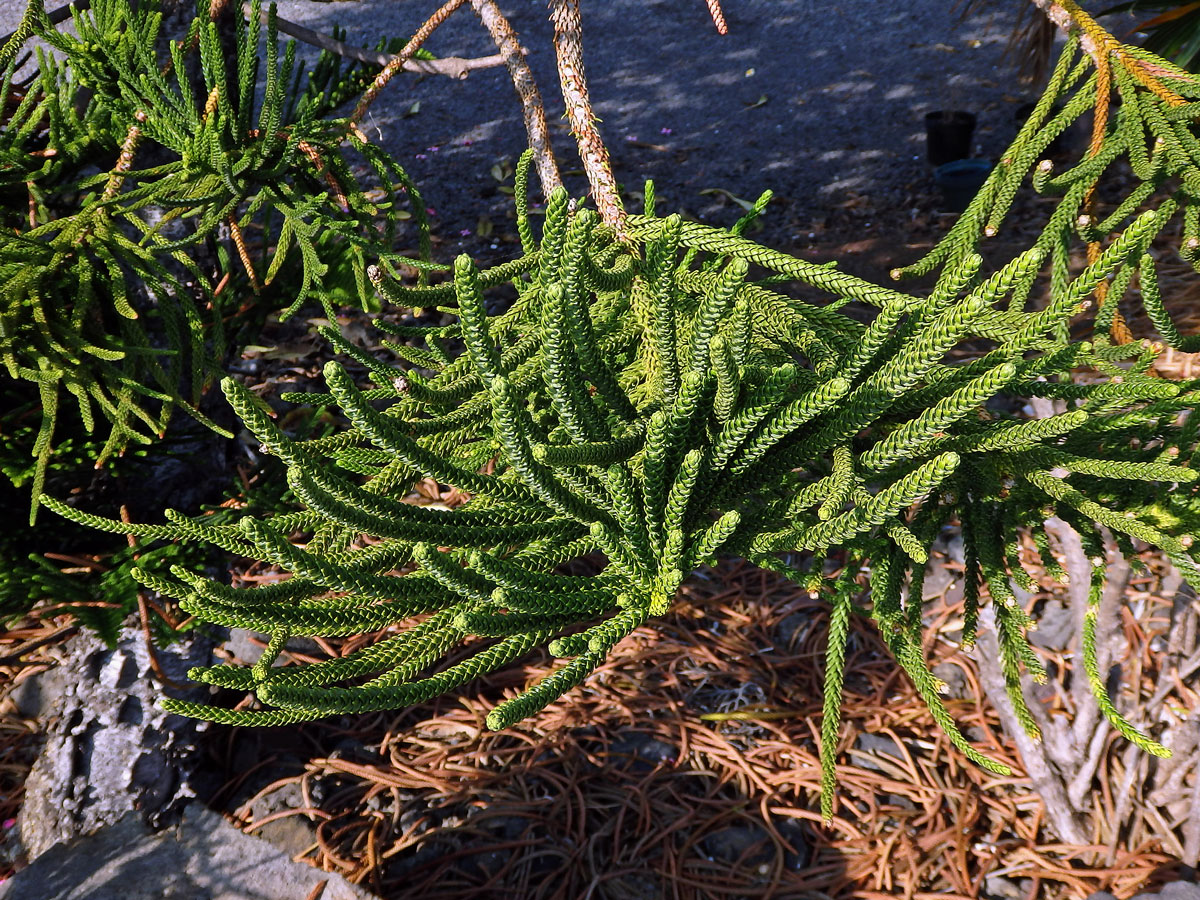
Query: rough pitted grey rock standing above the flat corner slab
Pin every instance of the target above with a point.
(109, 748)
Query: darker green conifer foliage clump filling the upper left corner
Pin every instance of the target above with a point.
(103, 301)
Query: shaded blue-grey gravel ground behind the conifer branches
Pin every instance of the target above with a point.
(812, 100)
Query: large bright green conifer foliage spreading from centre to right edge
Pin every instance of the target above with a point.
(652, 398)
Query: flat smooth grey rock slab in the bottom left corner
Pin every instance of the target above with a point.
(203, 859)
